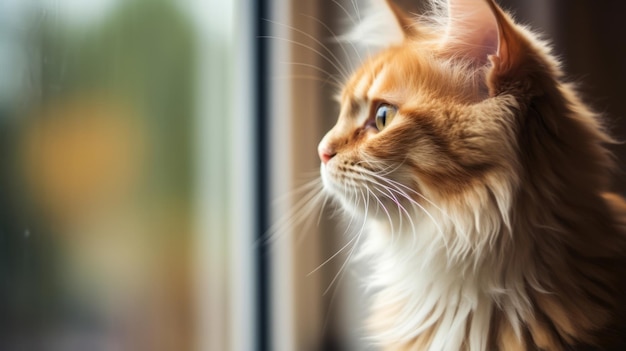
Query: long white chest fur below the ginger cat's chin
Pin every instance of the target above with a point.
(439, 282)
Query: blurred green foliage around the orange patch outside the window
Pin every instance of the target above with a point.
(143, 56)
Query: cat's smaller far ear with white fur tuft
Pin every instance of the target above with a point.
(382, 24)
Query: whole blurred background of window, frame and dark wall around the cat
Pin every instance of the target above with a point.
(146, 148)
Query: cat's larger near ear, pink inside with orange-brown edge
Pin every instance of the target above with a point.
(480, 30)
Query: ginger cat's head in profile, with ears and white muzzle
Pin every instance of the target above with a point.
(454, 110)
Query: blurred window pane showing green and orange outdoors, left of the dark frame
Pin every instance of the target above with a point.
(100, 102)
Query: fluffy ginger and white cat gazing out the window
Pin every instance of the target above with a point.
(484, 182)
